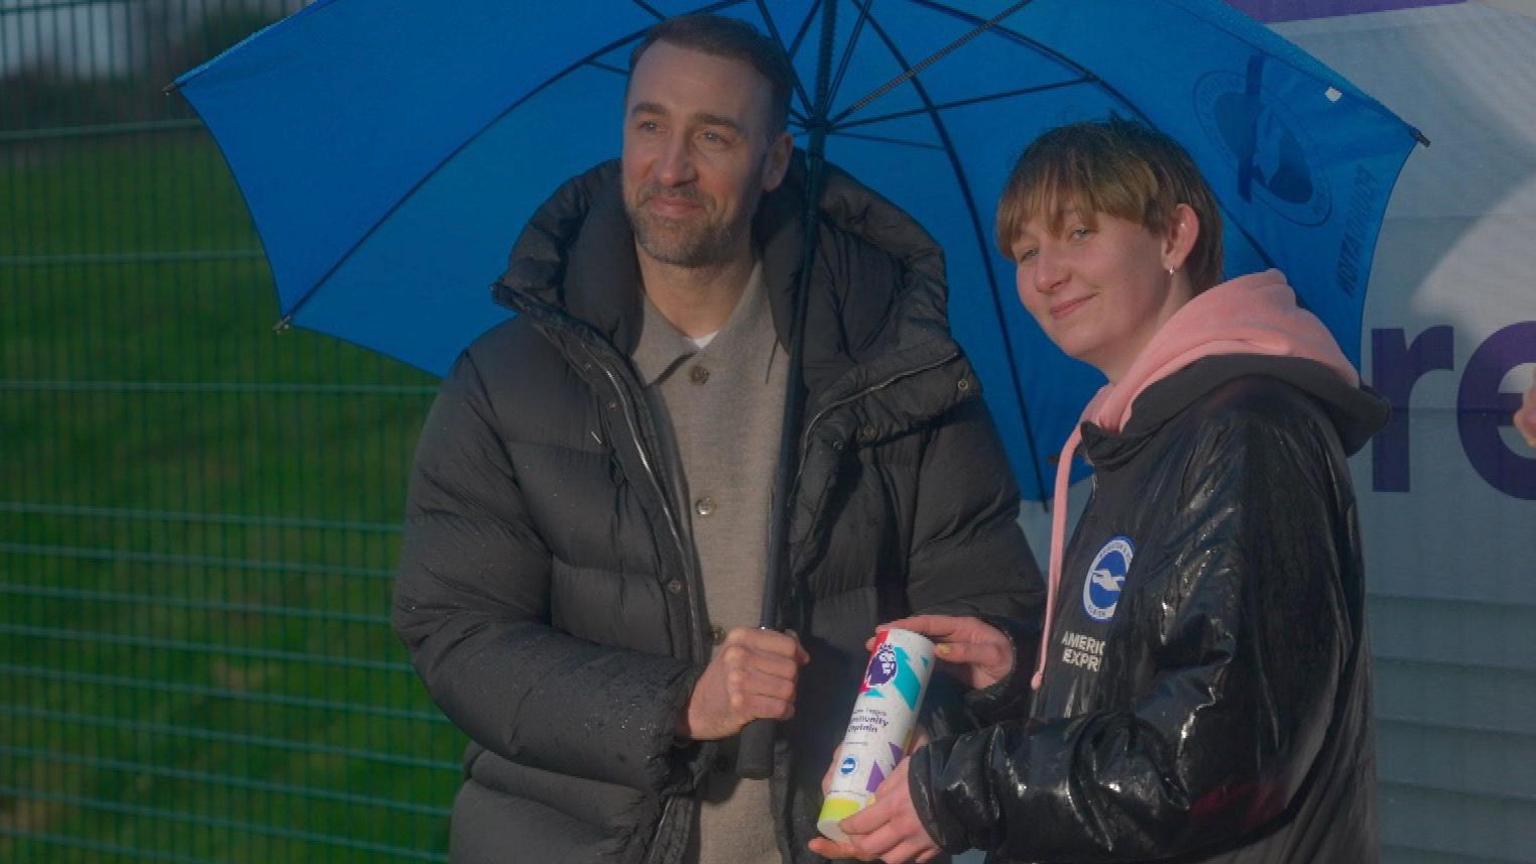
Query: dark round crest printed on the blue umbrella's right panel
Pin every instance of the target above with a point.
(1268, 147)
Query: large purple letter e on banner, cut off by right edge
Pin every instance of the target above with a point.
(1481, 410)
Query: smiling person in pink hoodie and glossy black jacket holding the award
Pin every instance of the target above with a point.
(1202, 690)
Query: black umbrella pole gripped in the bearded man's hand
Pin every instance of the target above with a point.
(755, 754)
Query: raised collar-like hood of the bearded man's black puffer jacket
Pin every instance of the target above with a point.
(578, 254)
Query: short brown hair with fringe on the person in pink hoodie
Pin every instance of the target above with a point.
(1113, 167)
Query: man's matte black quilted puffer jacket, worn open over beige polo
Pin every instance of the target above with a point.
(546, 591)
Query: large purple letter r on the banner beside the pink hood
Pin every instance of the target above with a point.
(1395, 367)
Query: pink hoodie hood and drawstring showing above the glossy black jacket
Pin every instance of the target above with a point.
(1254, 314)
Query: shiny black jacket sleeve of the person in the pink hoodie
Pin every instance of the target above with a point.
(1242, 693)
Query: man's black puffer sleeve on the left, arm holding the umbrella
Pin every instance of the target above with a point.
(472, 608)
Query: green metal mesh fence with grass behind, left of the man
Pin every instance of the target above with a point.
(199, 519)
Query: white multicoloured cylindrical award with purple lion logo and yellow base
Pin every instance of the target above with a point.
(881, 728)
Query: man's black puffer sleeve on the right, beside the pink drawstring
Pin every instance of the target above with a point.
(970, 556)
